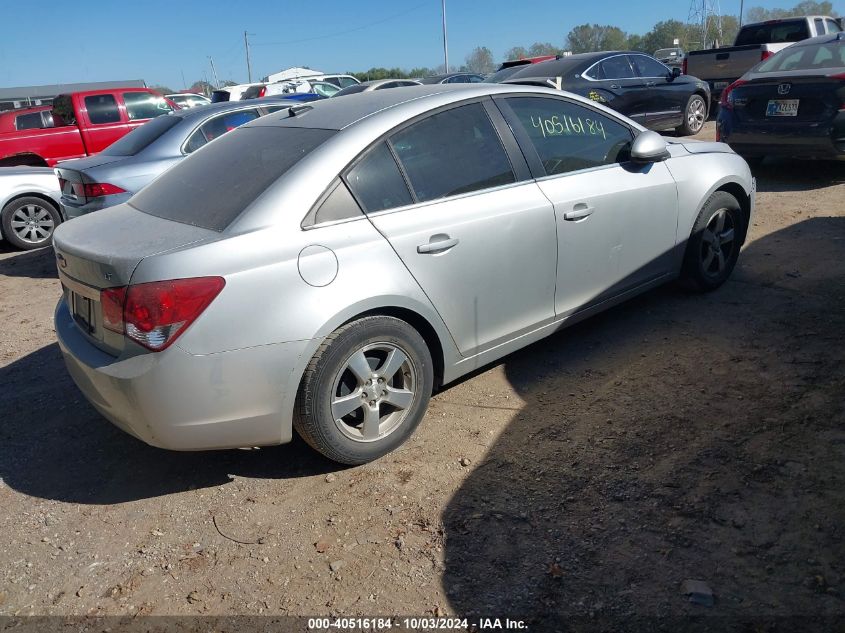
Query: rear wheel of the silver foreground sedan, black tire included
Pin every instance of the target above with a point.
(330, 377)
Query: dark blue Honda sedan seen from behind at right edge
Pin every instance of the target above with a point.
(791, 105)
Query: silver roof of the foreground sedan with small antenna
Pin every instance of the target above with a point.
(337, 114)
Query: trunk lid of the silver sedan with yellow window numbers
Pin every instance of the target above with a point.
(102, 250)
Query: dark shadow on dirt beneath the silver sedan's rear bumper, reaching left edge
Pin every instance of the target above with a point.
(54, 445)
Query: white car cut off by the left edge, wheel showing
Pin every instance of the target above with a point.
(29, 206)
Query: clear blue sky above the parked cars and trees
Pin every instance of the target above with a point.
(159, 40)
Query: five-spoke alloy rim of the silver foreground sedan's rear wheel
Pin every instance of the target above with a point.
(373, 392)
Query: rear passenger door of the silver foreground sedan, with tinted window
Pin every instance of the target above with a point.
(467, 221)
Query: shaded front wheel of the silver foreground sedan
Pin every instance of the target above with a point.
(710, 257)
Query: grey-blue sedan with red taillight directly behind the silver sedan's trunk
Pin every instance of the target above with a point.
(124, 167)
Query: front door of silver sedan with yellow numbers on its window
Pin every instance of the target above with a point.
(615, 221)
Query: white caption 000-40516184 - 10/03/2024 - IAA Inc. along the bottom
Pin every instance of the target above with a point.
(414, 624)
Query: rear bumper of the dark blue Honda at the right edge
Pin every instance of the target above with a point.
(805, 140)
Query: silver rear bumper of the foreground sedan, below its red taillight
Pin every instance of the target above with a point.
(180, 401)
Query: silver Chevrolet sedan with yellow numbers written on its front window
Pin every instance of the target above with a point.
(324, 268)
